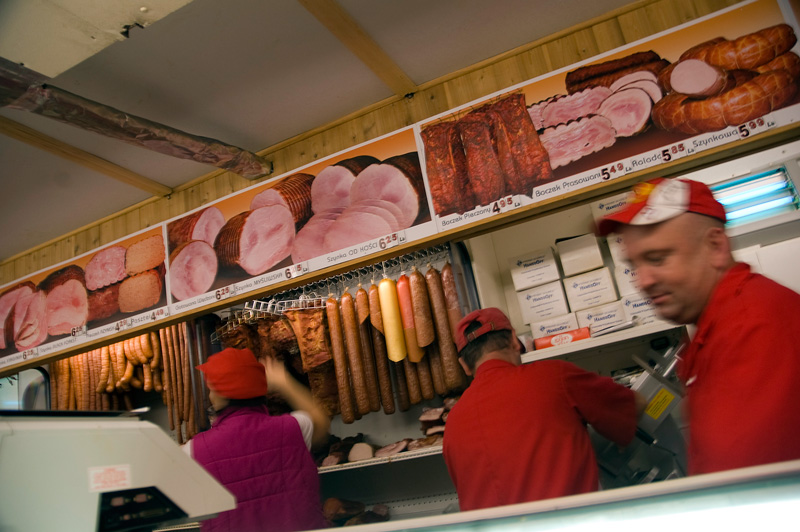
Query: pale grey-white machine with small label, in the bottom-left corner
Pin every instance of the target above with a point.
(84, 472)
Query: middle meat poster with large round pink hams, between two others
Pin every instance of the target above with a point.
(347, 206)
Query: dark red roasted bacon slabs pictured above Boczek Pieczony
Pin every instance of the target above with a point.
(490, 152)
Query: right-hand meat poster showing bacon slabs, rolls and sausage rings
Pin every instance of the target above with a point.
(704, 84)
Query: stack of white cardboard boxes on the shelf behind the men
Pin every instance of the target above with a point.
(580, 289)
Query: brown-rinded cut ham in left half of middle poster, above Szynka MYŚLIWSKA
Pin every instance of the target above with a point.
(256, 240)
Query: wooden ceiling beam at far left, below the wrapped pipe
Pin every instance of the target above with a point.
(39, 140)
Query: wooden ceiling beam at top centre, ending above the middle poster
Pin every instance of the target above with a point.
(347, 30)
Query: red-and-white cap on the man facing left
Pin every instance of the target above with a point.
(659, 200)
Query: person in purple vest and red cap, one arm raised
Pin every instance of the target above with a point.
(264, 460)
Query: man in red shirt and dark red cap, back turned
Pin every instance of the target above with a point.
(518, 433)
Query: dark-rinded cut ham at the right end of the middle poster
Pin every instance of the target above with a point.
(397, 180)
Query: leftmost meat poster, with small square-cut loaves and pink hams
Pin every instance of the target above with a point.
(98, 294)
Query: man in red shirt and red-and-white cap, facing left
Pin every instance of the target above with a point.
(741, 367)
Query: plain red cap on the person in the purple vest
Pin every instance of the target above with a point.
(235, 374)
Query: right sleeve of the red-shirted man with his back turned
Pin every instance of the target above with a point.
(607, 406)
